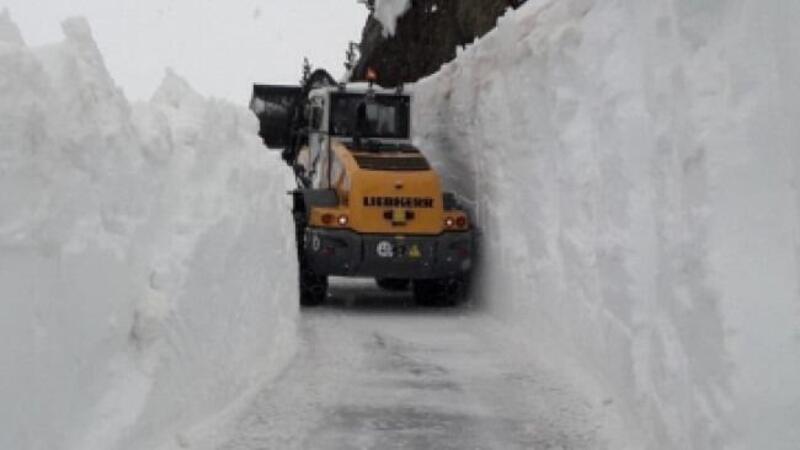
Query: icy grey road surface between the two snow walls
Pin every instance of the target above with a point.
(374, 372)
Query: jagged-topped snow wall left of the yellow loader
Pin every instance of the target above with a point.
(146, 281)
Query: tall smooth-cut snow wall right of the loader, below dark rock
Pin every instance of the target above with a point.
(636, 175)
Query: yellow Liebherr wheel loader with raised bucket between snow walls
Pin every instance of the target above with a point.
(367, 203)
